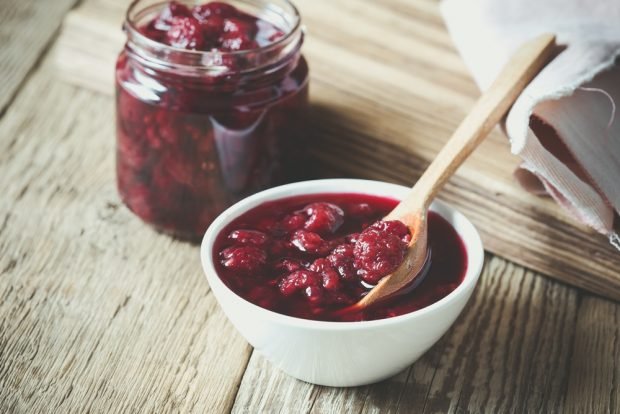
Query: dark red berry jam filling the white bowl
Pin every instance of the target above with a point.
(313, 256)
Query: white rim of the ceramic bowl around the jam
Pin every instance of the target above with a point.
(472, 242)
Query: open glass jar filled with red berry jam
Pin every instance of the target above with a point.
(197, 131)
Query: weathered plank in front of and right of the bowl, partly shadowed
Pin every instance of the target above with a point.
(508, 352)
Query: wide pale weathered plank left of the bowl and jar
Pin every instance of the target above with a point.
(98, 312)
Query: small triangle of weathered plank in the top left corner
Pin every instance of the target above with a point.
(26, 30)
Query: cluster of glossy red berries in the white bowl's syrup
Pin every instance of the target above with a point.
(309, 256)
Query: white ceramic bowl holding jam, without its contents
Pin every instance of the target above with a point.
(342, 353)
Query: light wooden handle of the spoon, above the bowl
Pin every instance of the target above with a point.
(494, 103)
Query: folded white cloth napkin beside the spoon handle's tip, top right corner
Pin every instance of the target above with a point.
(564, 125)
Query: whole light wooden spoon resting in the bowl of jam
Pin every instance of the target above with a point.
(486, 113)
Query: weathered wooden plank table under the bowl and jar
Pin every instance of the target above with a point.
(99, 313)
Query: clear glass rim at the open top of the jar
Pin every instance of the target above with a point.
(214, 54)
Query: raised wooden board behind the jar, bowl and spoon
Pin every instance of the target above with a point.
(393, 91)
